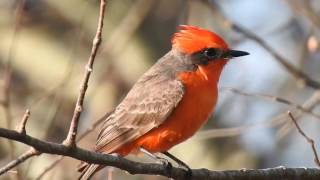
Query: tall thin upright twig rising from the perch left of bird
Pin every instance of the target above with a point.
(71, 138)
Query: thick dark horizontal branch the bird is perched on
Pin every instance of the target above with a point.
(156, 169)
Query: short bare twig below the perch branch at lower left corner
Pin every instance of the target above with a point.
(28, 154)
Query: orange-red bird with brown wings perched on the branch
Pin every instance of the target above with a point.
(170, 101)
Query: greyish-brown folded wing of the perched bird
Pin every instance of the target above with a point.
(147, 105)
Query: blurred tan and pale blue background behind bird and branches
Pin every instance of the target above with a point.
(48, 42)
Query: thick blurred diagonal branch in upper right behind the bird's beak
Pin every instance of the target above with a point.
(303, 79)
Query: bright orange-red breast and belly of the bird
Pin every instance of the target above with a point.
(190, 114)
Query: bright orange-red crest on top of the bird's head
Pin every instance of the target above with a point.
(191, 39)
